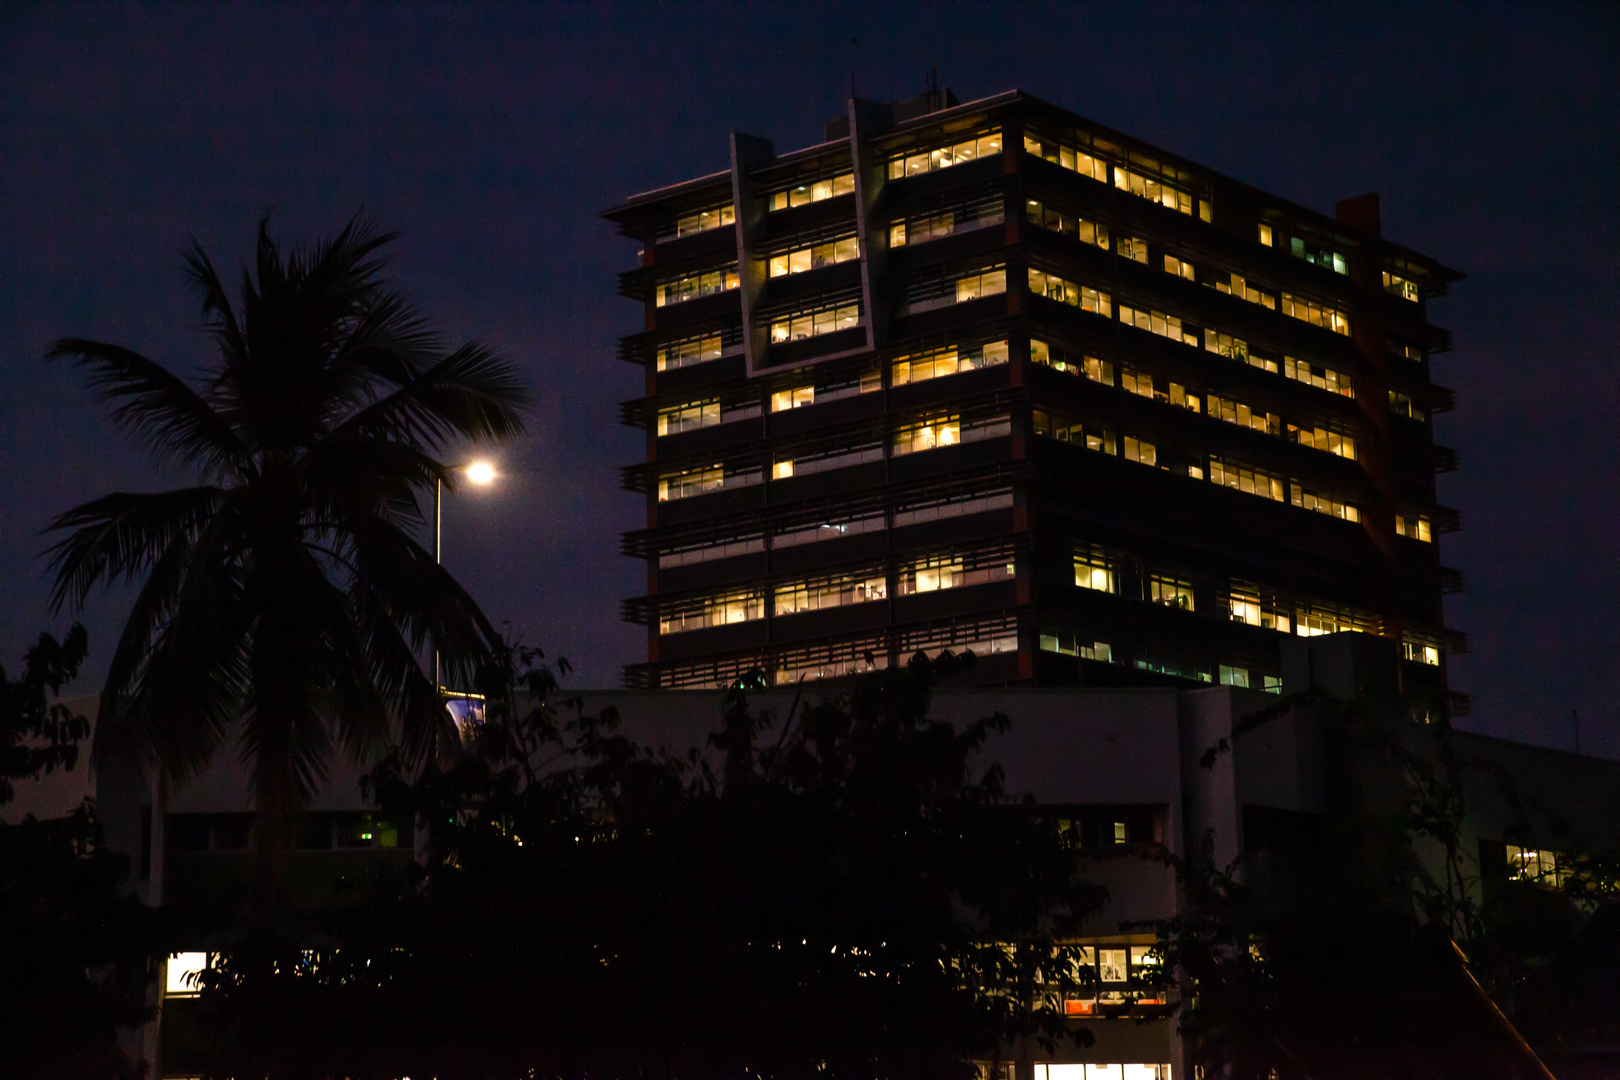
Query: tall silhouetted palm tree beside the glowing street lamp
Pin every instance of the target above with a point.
(286, 602)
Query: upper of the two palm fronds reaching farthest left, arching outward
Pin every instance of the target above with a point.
(156, 406)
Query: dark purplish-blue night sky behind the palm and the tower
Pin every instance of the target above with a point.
(493, 137)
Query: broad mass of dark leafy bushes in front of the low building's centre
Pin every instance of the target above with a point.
(837, 893)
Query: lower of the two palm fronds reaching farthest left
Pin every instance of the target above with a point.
(122, 535)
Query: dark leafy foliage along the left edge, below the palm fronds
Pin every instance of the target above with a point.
(74, 948)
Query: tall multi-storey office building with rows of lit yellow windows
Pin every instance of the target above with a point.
(994, 376)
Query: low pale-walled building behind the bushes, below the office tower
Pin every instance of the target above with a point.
(1123, 767)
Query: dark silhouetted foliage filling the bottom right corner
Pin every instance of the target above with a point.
(1329, 951)
